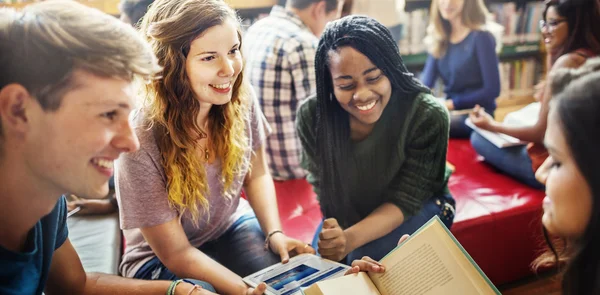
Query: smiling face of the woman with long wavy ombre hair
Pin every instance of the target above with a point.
(214, 63)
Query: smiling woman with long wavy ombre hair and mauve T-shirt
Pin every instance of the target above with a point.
(202, 139)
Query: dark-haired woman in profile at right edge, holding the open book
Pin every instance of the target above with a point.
(572, 179)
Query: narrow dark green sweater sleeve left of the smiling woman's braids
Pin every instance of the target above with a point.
(305, 120)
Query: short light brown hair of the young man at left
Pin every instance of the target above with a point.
(44, 43)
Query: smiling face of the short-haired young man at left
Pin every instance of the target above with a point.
(72, 149)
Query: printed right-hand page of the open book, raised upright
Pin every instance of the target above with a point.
(429, 263)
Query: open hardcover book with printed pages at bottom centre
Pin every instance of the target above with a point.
(430, 262)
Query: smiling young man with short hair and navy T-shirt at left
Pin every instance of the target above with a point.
(65, 97)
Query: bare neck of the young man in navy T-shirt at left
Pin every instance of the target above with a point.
(24, 203)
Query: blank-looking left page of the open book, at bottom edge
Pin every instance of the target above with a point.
(356, 284)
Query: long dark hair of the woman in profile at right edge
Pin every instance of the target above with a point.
(577, 104)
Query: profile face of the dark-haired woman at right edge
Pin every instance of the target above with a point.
(568, 202)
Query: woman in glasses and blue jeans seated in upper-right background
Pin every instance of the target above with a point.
(571, 35)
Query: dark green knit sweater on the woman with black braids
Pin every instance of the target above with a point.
(402, 161)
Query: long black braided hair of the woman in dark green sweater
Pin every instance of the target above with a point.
(375, 41)
